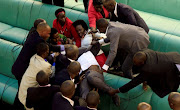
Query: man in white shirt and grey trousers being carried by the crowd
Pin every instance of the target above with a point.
(93, 76)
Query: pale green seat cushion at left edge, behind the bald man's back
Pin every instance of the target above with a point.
(16, 35)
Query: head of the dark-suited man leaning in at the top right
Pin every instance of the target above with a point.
(109, 5)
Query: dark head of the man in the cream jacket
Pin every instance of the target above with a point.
(41, 48)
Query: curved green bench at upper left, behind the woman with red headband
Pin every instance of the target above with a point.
(18, 16)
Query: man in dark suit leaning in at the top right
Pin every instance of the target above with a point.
(124, 14)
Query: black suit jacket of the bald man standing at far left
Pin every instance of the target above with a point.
(29, 49)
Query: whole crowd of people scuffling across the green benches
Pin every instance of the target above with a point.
(75, 50)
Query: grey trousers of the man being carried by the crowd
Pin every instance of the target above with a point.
(92, 79)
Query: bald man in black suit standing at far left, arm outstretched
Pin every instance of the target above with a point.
(29, 49)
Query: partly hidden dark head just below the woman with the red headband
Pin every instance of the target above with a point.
(54, 36)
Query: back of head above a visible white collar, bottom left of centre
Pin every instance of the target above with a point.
(68, 88)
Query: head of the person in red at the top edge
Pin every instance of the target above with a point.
(98, 5)
